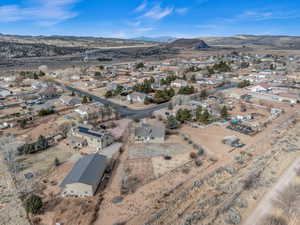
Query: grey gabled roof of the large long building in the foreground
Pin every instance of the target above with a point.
(88, 170)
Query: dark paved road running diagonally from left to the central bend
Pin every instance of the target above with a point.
(123, 110)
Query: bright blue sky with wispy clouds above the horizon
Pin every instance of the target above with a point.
(134, 18)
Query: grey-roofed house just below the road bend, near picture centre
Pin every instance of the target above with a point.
(149, 134)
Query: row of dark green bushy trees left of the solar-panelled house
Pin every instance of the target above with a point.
(41, 144)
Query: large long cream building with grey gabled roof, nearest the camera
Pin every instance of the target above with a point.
(85, 177)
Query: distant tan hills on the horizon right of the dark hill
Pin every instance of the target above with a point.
(255, 41)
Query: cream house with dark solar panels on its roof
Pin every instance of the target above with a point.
(95, 138)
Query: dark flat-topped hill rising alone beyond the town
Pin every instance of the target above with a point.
(188, 44)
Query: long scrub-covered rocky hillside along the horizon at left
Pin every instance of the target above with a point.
(14, 46)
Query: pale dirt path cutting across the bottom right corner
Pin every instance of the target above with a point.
(265, 205)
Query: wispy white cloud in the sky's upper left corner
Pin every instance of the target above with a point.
(42, 12)
